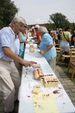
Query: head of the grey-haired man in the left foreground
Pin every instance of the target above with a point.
(18, 24)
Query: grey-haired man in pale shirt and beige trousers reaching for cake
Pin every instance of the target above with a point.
(9, 75)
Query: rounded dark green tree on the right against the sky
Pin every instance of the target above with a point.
(59, 20)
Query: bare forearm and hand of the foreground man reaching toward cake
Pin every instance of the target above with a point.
(10, 54)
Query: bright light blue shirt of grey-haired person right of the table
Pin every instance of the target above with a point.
(45, 42)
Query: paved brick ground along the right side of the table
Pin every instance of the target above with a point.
(68, 85)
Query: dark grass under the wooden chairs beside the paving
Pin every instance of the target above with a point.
(64, 66)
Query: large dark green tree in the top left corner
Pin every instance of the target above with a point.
(7, 12)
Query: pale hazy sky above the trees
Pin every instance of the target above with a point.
(38, 11)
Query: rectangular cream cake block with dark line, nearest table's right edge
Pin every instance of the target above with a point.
(50, 81)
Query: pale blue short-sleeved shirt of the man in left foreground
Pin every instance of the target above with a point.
(7, 39)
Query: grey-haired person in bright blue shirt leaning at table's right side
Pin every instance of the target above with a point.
(47, 49)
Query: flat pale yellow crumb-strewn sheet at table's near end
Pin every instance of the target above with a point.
(44, 103)
